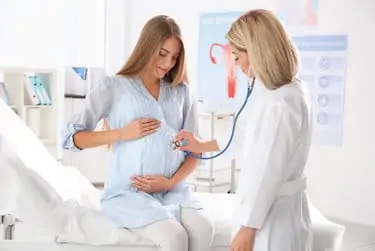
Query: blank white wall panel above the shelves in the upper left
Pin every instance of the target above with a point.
(44, 33)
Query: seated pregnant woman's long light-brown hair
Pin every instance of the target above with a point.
(154, 33)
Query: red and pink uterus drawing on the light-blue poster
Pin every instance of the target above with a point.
(231, 75)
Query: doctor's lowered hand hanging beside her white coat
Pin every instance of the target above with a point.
(244, 240)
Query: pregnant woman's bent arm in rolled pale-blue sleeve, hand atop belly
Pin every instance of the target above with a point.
(79, 133)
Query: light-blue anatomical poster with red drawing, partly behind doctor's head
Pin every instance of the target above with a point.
(220, 83)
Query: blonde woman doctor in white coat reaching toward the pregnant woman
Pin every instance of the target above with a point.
(272, 140)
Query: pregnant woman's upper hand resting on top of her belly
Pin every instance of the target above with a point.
(138, 128)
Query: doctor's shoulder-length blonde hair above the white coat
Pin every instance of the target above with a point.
(271, 52)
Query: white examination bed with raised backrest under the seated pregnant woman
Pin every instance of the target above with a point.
(58, 208)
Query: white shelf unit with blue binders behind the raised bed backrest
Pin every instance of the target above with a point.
(33, 95)
